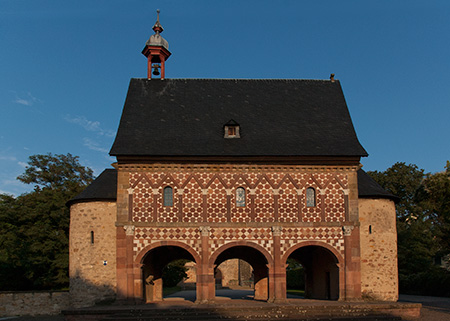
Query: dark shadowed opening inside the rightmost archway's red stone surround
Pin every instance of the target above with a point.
(320, 270)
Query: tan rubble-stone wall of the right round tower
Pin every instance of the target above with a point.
(379, 271)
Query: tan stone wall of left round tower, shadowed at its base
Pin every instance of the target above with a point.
(92, 253)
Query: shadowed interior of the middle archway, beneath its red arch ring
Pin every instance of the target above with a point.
(258, 263)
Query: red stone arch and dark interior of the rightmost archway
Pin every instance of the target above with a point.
(323, 266)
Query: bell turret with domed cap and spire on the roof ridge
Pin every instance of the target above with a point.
(157, 52)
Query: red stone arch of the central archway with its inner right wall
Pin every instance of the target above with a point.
(258, 258)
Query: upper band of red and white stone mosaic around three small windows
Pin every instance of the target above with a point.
(210, 196)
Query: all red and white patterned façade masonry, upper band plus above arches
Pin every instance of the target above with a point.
(209, 197)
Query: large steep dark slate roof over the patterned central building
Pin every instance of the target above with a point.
(185, 117)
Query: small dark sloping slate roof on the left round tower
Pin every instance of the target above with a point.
(103, 188)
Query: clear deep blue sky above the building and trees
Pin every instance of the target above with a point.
(65, 68)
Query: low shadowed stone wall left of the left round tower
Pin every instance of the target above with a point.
(33, 303)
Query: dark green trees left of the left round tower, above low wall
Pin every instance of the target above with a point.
(34, 227)
